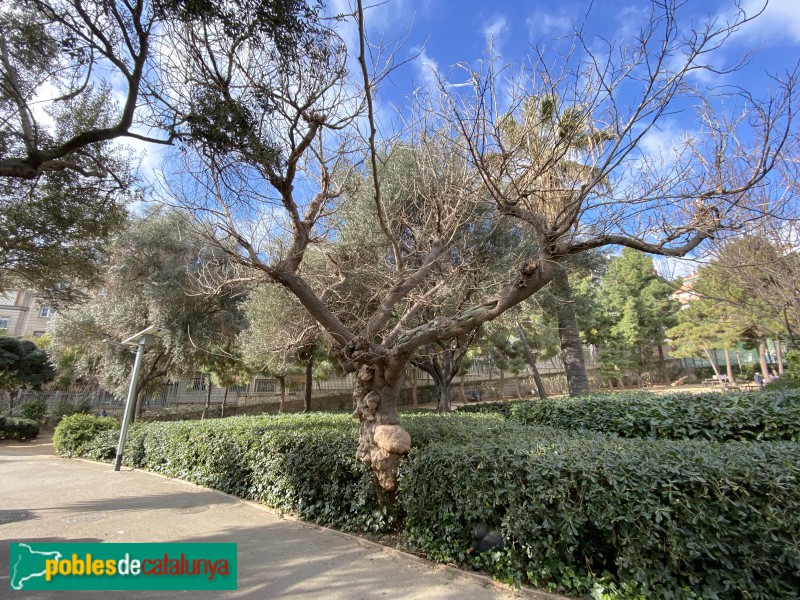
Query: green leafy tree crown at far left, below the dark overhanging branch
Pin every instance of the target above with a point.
(56, 228)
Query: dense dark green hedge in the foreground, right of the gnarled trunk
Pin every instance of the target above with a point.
(662, 519)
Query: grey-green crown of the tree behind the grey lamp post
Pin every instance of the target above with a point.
(151, 279)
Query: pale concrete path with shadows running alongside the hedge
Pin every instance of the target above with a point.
(74, 500)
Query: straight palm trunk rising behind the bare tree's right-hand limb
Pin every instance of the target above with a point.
(571, 344)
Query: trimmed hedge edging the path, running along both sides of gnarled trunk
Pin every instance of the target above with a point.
(640, 518)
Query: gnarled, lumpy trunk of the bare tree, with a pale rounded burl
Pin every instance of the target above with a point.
(382, 442)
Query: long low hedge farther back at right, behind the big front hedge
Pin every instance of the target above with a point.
(712, 416)
